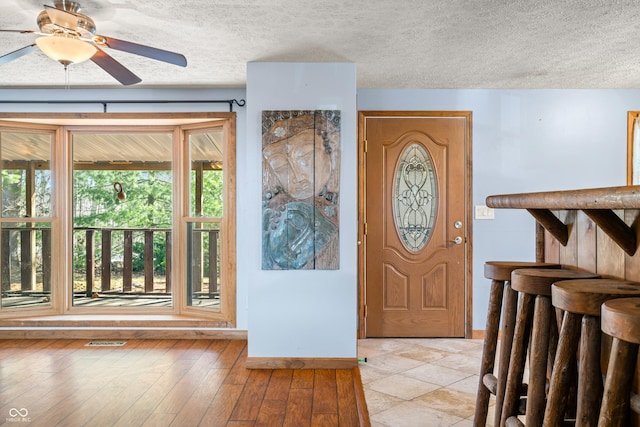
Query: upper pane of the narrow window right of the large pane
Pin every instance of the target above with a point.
(206, 182)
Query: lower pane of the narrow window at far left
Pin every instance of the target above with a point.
(26, 265)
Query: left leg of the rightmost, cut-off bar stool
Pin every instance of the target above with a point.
(615, 401)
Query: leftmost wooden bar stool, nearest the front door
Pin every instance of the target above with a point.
(500, 274)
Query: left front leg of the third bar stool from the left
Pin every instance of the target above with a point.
(563, 369)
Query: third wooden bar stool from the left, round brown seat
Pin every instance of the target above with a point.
(581, 301)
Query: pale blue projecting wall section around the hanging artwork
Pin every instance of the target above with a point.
(306, 313)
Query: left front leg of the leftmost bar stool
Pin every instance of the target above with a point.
(488, 351)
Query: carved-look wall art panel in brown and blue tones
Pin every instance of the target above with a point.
(300, 190)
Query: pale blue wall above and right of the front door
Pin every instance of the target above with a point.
(522, 141)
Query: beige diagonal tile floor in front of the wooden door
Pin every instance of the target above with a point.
(420, 382)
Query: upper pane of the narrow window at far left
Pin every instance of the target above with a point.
(26, 175)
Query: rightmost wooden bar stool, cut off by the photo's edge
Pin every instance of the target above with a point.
(620, 320)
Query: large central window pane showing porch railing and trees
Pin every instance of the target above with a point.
(122, 188)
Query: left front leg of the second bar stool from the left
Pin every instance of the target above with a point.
(518, 357)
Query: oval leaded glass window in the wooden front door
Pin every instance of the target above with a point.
(415, 198)
